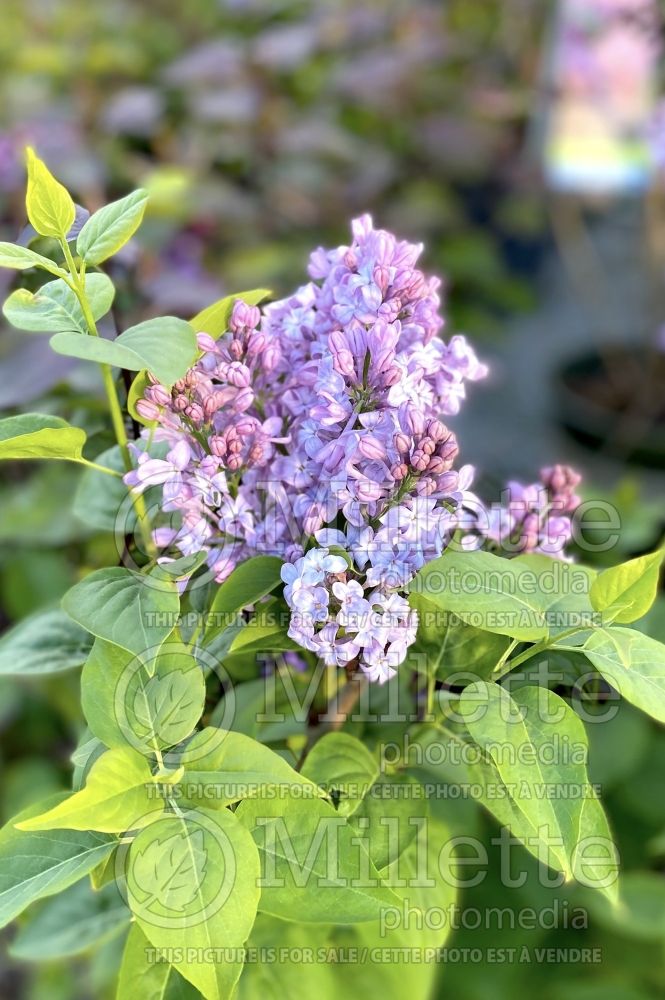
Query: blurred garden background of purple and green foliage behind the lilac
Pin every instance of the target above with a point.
(260, 128)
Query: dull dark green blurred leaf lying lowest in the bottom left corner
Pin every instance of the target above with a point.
(71, 923)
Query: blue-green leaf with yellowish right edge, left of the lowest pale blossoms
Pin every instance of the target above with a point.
(133, 611)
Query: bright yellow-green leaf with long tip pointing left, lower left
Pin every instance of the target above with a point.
(119, 795)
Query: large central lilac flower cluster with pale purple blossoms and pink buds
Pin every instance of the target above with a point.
(313, 432)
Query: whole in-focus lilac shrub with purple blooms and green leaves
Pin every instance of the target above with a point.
(301, 451)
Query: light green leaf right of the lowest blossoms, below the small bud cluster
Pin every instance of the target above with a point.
(488, 592)
